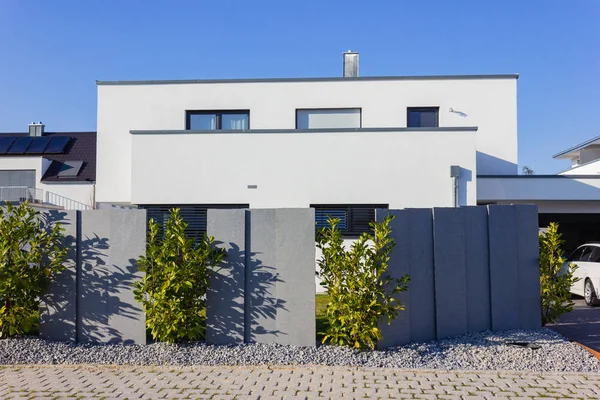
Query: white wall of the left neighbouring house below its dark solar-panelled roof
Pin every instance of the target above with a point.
(80, 192)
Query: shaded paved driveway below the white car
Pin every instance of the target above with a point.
(581, 325)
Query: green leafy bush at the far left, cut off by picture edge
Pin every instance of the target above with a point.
(30, 256)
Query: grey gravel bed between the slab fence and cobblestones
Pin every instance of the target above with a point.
(482, 351)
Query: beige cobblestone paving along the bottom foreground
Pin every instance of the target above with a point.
(92, 382)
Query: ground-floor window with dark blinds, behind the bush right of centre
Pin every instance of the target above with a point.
(354, 219)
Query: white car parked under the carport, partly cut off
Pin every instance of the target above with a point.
(587, 259)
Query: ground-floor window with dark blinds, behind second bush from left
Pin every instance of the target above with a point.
(193, 214)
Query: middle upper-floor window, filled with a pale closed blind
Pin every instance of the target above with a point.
(324, 118)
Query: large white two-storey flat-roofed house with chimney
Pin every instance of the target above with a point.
(343, 145)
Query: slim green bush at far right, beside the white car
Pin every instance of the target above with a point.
(555, 281)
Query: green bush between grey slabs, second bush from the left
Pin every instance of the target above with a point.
(173, 290)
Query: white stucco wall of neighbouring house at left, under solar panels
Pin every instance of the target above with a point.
(81, 192)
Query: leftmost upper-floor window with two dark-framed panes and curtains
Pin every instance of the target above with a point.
(217, 120)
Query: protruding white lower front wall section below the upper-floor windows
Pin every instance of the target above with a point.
(402, 169)
